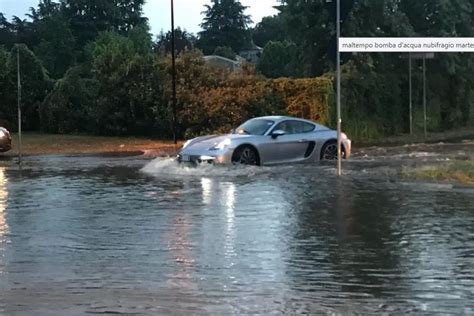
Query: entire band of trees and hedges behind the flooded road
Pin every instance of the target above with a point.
(110, 78)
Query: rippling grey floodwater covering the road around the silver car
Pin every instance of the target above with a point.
(136, 235)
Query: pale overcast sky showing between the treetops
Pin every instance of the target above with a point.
(187, 12)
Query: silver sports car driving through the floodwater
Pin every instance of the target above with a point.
(265, 141)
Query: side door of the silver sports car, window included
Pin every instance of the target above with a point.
(289, 147)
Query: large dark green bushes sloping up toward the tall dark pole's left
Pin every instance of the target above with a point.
(115, 94)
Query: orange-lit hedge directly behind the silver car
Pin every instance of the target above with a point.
(212, 100)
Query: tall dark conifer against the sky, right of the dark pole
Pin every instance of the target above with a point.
(225, 24)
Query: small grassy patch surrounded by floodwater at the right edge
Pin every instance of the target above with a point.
(459, 171)
